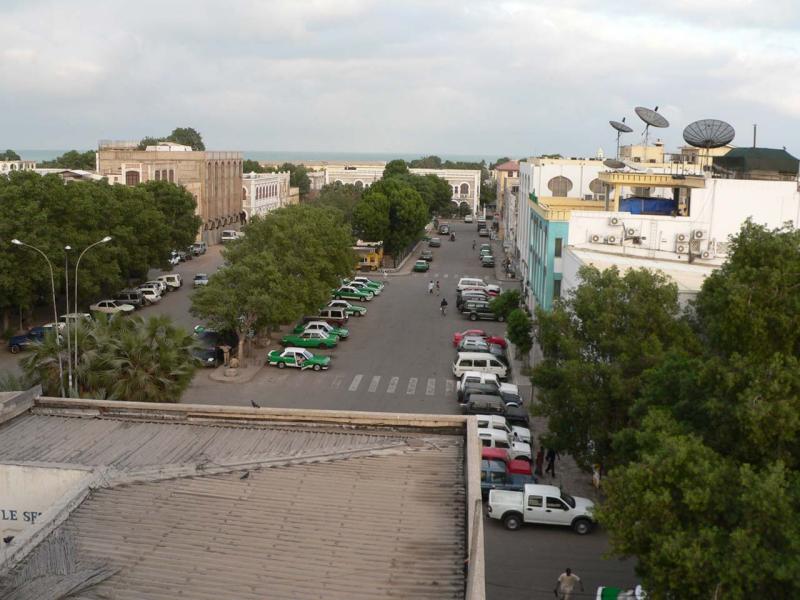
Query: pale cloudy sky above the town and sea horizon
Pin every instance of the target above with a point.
(493, 78)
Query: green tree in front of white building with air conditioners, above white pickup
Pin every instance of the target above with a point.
(597, 344)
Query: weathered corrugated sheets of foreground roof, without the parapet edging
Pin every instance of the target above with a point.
(388, 526)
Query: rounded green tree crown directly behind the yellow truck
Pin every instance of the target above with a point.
(390, 210)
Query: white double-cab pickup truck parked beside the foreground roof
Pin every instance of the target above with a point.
(544, 504)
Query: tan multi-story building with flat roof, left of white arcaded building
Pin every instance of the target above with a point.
(213, 178)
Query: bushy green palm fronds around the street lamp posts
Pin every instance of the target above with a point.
(121, 358)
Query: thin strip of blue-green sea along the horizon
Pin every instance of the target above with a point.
(298, 157)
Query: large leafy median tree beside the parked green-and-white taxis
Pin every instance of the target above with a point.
(284, 267)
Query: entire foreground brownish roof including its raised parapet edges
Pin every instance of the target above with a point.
(223, 502)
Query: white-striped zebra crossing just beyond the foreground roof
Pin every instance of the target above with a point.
(364, 383)
